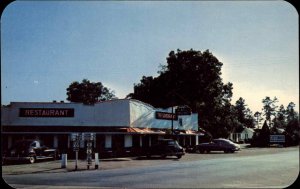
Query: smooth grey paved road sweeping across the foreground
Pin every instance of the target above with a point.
(254, 168)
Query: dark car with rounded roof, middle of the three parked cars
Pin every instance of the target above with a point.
(164, 148)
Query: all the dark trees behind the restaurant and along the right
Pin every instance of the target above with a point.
(193, 78)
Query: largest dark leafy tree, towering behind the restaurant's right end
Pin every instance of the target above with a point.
(196, 76)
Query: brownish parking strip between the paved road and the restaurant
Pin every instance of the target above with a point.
(118, 163)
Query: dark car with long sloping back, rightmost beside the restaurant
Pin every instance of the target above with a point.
(217, 145)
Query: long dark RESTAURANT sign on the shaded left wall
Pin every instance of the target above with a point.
(46, 112)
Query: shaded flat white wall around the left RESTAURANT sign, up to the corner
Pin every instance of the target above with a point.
(109, 113)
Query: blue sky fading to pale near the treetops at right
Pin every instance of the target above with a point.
(45, 46)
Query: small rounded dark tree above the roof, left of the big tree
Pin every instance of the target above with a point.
(88, 92)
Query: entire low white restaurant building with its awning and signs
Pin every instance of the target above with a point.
(121, 127)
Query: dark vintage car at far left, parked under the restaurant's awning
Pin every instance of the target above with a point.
(29, 150)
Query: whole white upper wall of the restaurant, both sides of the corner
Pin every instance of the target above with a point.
(115, 113)
